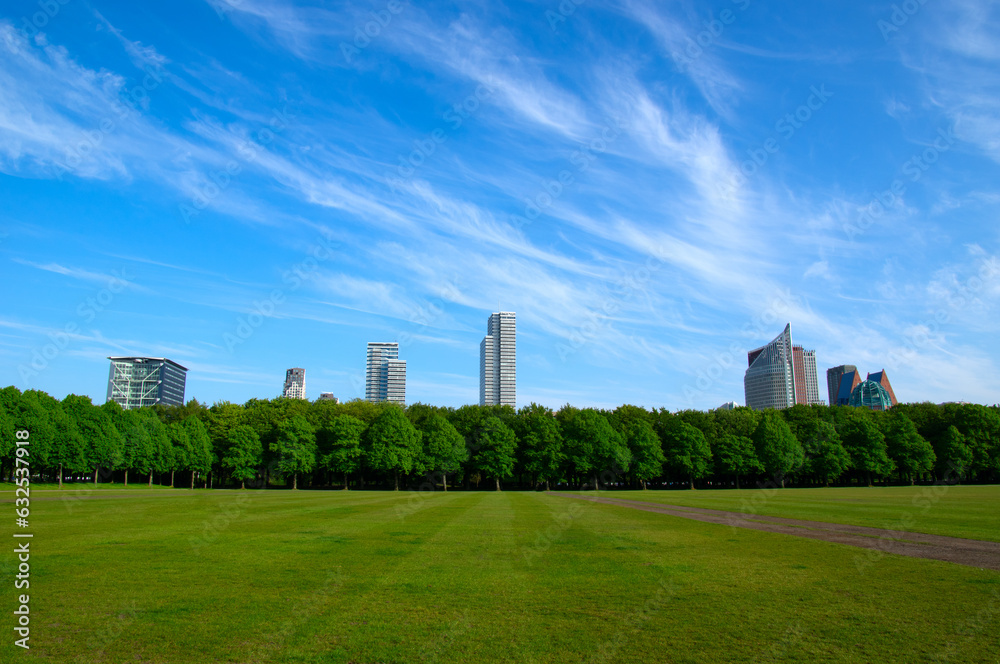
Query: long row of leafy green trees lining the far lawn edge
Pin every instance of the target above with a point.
(360, 443)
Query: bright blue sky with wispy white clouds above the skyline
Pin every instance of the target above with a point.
(655, 188)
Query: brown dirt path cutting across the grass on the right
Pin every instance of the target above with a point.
(975, 553)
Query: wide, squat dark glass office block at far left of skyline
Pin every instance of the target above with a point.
(137, 382)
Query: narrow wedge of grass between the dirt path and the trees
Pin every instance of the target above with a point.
(956, 511)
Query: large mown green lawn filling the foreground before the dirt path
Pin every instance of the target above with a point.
(363, 577)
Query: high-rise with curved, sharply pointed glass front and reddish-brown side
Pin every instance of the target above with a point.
(781, 375)
